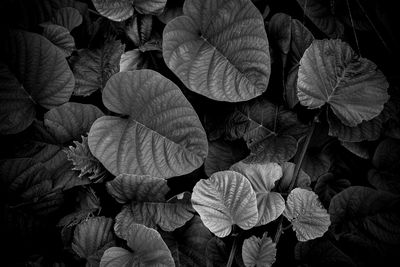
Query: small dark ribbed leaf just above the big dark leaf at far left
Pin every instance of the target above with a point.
(60, 37)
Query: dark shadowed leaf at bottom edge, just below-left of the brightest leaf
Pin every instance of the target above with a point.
(188, 244)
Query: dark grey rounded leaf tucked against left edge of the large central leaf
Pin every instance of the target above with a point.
(70, 120)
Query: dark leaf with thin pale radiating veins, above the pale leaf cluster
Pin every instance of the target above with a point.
(269, 130)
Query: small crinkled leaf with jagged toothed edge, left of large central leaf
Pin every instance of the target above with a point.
(84, 162)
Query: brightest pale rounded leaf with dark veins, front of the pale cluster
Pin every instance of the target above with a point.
(223, 200)
